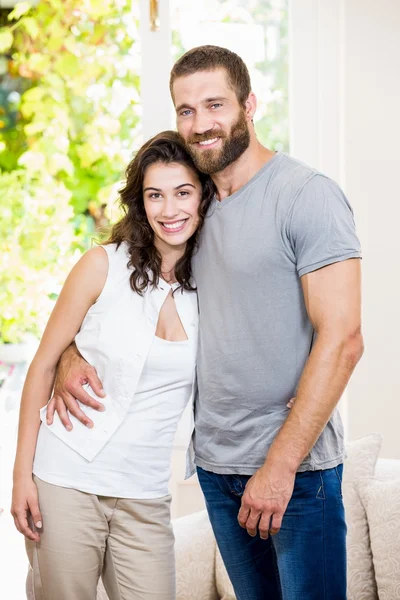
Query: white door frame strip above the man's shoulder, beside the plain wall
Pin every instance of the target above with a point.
(316, 78)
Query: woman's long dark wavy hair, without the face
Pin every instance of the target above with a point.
(134, 228)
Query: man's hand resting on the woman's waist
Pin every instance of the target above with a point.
(72, 373)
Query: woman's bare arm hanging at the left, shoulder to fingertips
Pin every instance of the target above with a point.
(79, 293)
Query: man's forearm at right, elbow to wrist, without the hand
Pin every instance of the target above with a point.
(323, 381)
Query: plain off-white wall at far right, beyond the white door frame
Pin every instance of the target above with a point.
(372, 148)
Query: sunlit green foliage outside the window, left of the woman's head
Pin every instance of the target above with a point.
(69, 122)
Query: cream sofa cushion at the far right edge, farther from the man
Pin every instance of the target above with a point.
(382, 502)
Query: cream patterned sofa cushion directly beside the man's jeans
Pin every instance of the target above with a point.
(359, 467)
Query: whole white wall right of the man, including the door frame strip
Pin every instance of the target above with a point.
(356, 45)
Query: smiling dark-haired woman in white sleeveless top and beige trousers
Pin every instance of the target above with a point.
(119, 307)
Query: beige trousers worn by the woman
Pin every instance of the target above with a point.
(129, 543)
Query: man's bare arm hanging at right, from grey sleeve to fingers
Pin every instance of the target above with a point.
(333, 302)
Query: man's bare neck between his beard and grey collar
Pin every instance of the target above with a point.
(234, 177)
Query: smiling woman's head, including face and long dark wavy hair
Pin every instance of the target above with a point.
(163, 188)
